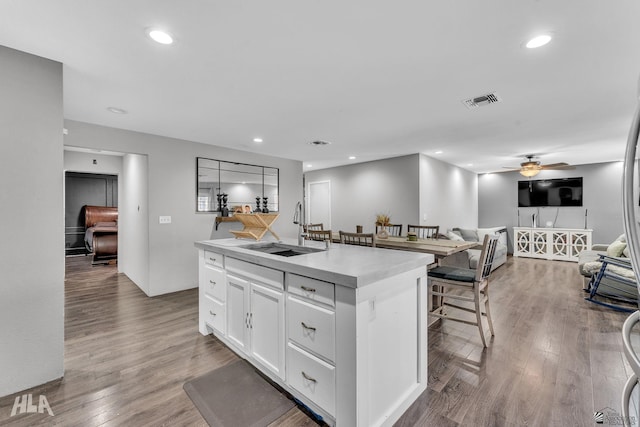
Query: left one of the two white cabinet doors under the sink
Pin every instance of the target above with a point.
(237, 312)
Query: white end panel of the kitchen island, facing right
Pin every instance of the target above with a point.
(390, 346)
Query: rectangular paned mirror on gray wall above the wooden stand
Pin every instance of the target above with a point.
(236, 186)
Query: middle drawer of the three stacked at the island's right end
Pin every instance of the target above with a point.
(312, 327)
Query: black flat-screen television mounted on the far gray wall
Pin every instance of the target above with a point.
(550, 192)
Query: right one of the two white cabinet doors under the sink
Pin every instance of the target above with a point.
(267, 328)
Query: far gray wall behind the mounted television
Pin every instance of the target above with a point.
(602, 199)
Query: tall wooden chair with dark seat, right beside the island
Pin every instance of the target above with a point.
(467, 285)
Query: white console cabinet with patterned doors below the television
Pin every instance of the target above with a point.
(563, 244)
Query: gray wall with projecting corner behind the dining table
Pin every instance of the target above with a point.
(409, 188)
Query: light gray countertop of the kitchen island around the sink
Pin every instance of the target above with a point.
(347, 265)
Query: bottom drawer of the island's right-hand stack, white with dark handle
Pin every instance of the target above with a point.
(312, 377)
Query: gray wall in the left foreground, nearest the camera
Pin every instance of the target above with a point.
(31, 222)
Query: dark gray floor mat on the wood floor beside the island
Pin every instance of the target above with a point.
(236, 395)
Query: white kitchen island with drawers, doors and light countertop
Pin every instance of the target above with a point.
(344, 330)
